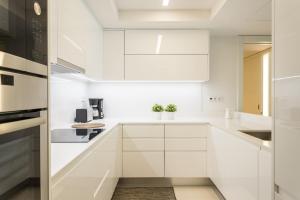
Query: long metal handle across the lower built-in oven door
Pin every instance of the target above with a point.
(20, 125)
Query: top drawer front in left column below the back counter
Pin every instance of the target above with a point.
(143, 131)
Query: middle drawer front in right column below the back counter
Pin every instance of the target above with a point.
(185, 144)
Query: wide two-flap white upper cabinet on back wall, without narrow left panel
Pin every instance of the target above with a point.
(167, 55)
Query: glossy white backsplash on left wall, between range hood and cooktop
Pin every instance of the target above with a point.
(65, 96)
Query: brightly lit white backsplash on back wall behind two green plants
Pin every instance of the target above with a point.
(135, 100)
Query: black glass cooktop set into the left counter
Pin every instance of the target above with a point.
(74, 135)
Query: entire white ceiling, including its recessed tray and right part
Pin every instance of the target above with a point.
(222, 17)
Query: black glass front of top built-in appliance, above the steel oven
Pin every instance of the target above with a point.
(23, 29)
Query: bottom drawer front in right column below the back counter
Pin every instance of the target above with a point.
(185, 164)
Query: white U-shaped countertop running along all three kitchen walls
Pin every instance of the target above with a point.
(63, 153)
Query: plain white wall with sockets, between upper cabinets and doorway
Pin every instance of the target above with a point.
(223, 75)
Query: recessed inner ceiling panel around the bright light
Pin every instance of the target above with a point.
(157, 4)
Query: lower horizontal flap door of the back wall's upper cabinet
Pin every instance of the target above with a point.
(167, 67)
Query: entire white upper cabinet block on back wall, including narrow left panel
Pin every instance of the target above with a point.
(156, 55)
